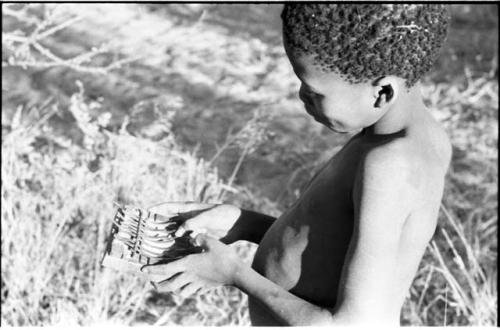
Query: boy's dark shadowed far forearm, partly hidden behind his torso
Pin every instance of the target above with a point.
(250, 226)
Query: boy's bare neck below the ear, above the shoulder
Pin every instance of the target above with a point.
(406, 110)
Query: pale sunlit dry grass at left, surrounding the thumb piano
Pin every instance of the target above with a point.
(57, 203)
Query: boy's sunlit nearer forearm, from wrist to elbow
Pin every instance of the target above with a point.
(286, 307)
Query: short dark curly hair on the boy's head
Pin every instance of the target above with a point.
(362, 42)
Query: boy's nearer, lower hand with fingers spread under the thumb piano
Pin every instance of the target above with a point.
(215, 266)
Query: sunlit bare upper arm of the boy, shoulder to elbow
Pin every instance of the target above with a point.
(383, 194)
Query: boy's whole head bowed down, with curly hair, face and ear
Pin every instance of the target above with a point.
(359, 56)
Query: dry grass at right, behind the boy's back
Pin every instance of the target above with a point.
(456, 282)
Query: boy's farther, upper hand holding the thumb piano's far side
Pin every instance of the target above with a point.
(216, 220)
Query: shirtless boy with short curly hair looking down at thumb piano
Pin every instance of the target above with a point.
(346, 252)
